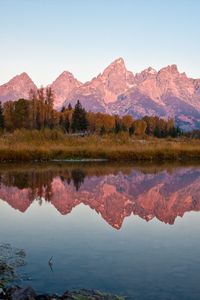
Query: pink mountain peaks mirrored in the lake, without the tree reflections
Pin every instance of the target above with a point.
(163, 196)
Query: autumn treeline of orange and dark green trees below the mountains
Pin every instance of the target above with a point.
(38, 113)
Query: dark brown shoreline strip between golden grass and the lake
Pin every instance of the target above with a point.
(119, 155)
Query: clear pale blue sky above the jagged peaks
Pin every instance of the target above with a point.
(46, 37)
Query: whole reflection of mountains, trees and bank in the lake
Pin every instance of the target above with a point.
(113, 192)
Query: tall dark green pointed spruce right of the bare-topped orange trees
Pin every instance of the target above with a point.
(79, 118)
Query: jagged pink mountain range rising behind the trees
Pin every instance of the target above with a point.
(165, 93)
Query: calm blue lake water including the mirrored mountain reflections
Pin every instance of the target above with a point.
(128, 230)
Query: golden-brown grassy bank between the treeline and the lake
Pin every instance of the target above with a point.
(24, 145)
